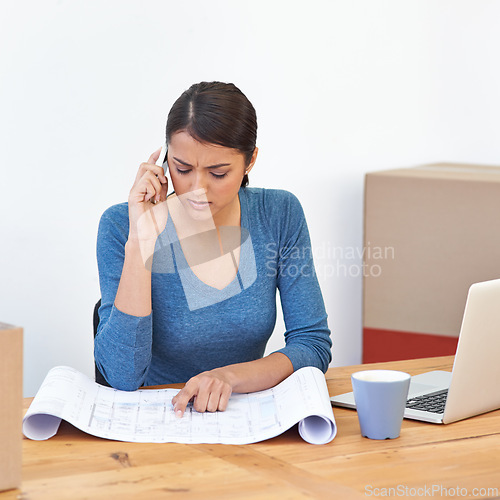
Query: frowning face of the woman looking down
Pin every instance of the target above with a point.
(206, 177)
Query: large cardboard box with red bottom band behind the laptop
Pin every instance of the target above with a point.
(430, 232)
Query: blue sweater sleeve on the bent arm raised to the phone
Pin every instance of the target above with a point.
(122, 347)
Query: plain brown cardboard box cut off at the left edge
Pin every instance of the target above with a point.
(11, 402)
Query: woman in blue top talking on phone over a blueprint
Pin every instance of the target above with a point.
(189, 283)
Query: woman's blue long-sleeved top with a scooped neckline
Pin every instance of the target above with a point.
(194, 327)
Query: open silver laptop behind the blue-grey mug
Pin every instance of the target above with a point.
(473, 387)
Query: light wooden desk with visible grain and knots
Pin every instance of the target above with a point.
(463, 455)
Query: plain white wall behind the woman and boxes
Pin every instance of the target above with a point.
(340, 87)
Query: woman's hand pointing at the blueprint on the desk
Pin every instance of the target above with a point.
(210, 391)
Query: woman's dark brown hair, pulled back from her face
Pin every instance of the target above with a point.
(216, 113)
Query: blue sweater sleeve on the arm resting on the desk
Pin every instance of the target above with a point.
(307, 335)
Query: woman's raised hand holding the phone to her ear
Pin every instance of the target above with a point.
(147, 205)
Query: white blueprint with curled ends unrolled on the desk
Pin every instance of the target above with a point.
(147, 415)
